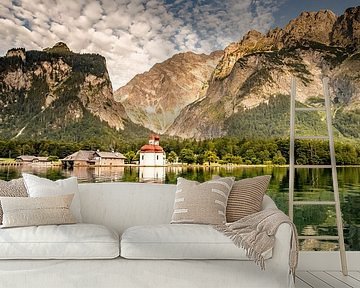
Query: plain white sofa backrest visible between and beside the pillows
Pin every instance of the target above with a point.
(119, 205)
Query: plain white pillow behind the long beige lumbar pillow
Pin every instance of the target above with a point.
(42, 187)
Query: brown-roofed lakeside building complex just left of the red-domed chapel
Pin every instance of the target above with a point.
(93, 158)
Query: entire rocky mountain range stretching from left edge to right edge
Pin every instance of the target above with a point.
(59, 94)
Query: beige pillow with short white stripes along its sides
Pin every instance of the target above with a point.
(201, 203)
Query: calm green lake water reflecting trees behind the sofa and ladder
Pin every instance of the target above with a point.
(310, 184)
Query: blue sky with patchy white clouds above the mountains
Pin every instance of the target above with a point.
(133, 35)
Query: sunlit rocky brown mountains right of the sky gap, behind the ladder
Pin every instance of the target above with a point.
(238, 82)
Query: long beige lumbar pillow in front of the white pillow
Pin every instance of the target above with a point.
(27, 211)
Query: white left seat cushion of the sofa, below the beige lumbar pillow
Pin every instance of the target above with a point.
(73, 241)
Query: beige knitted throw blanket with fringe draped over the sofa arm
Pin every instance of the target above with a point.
(256, 234)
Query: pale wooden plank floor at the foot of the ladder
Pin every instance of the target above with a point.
(327, 279)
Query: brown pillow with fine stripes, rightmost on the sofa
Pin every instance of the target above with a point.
(246, 197)
